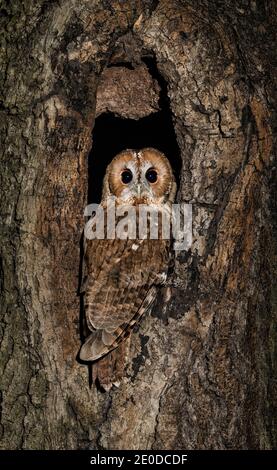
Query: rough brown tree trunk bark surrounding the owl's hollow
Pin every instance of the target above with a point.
(205, 361)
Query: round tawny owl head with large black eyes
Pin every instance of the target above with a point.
(140, 177)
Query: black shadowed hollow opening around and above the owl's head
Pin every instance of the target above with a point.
(113, 134)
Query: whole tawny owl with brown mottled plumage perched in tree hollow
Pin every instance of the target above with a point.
(121, 276)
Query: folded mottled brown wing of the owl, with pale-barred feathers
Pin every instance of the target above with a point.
(123, 276)
